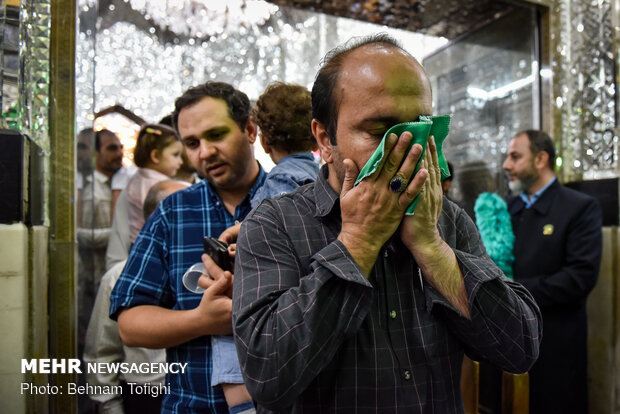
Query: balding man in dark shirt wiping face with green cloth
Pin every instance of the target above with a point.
(347, 298)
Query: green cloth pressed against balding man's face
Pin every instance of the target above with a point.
(437, 126)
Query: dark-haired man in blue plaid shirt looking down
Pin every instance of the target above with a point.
(152, 306)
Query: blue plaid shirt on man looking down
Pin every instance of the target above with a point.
(170, 242)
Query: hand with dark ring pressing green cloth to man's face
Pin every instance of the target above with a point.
(371, 211)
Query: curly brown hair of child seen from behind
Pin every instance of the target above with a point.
(284, 115)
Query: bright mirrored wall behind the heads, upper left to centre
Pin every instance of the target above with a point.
(141, 56)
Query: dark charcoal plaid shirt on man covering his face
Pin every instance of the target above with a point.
(314, 335)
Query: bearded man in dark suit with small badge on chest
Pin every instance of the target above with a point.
(557, 258)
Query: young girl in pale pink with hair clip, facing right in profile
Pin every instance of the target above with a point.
(157, 155)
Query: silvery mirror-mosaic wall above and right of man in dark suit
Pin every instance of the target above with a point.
(584, 77)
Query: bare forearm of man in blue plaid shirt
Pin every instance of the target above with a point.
(156, 327)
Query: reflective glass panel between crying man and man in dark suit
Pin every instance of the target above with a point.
(488, 80)
